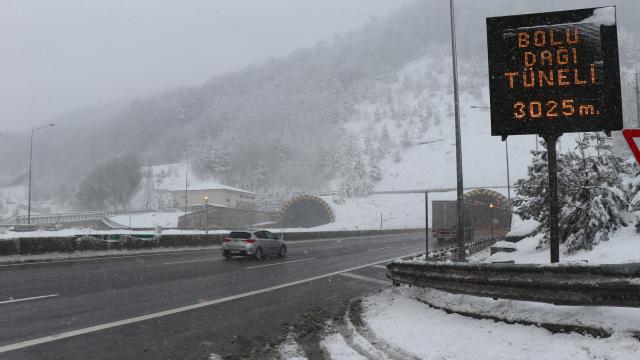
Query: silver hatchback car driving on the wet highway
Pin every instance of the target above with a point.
(259, 244)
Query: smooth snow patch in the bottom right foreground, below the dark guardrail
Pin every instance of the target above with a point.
(433, 334)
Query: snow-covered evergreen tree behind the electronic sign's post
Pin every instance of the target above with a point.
(590, 193)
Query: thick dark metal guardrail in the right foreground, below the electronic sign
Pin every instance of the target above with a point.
(560, 284)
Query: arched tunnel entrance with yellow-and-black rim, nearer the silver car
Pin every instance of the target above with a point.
(305, 211)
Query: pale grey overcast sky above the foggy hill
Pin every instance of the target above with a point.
(60, 55)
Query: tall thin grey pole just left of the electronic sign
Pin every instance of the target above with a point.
(460, 256)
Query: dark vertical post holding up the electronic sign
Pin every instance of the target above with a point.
(554, 236)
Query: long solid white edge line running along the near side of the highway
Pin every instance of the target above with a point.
(91, 329)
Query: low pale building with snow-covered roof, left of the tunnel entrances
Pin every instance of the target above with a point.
(220, 195)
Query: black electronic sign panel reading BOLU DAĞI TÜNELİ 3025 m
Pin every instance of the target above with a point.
(556, 72)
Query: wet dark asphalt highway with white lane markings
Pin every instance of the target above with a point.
(182, 305)
